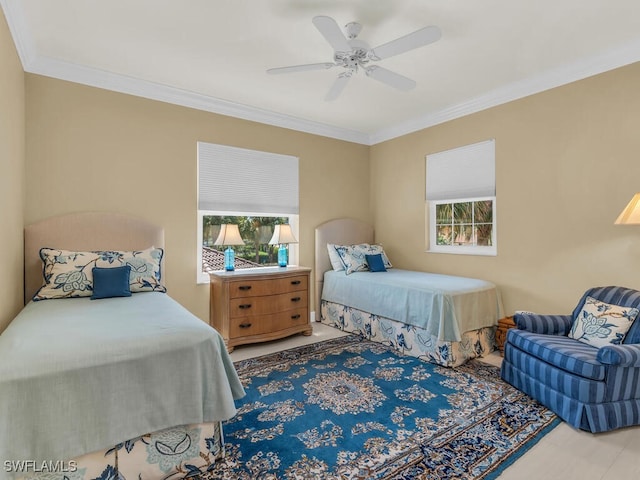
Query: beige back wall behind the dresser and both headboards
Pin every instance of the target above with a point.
(94, 150)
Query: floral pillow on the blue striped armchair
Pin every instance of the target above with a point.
(599, 324)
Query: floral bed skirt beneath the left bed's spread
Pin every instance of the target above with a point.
(186, 451)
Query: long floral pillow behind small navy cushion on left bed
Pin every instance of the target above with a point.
(68, 274)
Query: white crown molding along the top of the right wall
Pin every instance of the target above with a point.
(604, 62)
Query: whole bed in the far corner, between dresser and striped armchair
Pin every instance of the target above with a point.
(445, 319)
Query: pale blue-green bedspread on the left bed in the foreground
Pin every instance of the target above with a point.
(79, 375)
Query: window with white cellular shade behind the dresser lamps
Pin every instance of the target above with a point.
(254, 190)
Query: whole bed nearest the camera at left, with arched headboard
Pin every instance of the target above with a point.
(115, 388)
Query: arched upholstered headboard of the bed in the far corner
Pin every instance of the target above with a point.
(341, 231)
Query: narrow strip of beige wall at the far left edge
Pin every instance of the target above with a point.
(12, 158)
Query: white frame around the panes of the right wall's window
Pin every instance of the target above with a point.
(486, 250)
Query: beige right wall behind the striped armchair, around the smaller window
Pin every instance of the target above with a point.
(567, 162)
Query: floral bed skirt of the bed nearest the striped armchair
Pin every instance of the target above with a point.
(407, 338)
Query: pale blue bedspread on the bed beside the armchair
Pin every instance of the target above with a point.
(445, 306)
